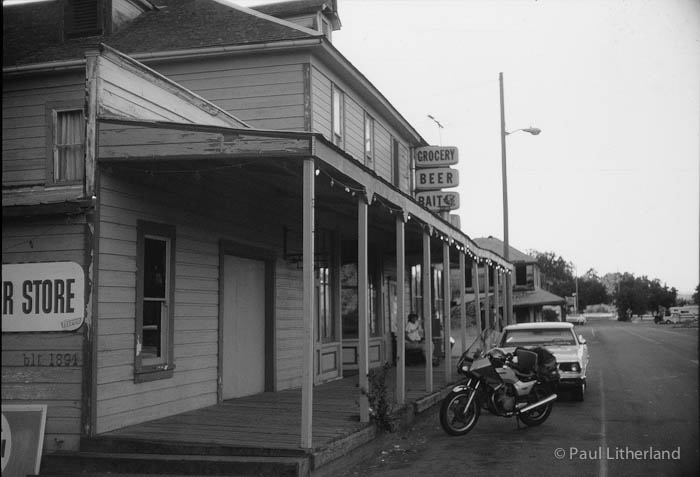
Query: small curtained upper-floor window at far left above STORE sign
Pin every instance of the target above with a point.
(69, 146)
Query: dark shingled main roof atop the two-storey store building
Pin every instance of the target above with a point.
(174, 25)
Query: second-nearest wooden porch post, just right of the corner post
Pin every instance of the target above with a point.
(363, 306)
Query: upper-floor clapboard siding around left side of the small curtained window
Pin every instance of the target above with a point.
(24, 126)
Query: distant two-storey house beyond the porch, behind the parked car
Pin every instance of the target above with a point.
(529, 297)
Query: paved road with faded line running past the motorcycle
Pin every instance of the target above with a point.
(639, 417)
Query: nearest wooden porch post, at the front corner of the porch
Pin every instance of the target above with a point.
(307, 377)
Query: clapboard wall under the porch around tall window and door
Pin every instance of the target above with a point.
(241, 216)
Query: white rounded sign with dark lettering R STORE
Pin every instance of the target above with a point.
(43, 296)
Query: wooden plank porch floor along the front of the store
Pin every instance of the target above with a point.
(267, 425)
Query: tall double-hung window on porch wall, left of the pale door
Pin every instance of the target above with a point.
(154, 301)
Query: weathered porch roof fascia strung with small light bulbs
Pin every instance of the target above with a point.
(147, 143)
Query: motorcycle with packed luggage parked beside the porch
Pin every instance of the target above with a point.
(521, 384)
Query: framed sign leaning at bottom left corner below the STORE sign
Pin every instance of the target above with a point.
(22, 438)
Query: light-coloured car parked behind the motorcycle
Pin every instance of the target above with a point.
(559, 338)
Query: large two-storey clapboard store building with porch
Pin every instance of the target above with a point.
(232, 197)
